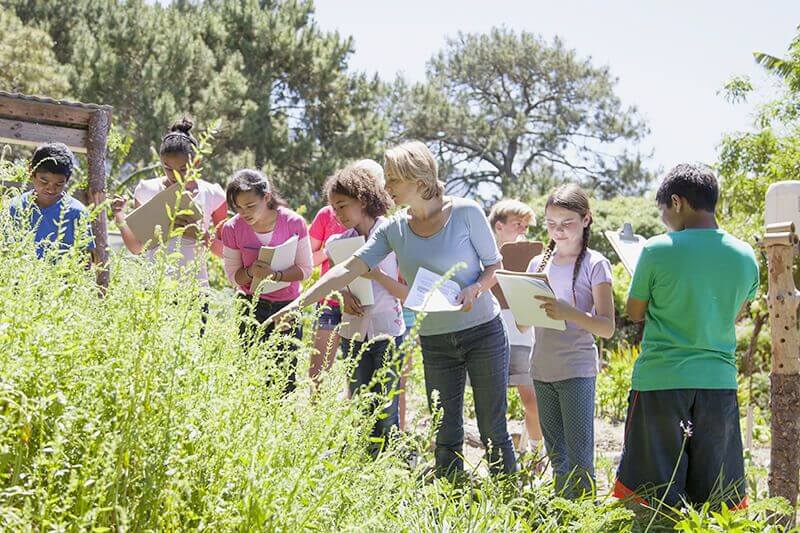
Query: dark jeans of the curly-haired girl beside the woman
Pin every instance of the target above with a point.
(372, 357)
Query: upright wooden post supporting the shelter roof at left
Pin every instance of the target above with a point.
(96, 194)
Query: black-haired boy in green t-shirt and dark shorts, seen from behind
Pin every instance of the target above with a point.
(689, 286)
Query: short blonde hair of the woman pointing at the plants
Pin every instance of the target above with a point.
(413, 161)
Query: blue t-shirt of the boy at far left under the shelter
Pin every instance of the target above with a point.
(57, 224)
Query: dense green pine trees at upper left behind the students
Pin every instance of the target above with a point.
(279, 84)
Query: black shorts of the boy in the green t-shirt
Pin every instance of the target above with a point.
(710, 461)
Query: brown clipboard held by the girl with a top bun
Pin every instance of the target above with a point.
(150, 222)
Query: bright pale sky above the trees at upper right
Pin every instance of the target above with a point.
(671, 57)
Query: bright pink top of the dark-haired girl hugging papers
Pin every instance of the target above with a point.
(239, 235)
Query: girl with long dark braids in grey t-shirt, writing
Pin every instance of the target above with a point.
(565, 363)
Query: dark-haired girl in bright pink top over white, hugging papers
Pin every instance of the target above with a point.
(262, 219)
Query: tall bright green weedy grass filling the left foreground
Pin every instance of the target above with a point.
(116, 414)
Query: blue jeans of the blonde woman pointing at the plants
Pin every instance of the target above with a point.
(482, 351)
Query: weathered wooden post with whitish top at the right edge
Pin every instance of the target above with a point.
(780, 242)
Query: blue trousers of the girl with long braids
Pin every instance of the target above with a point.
(566, 415)
